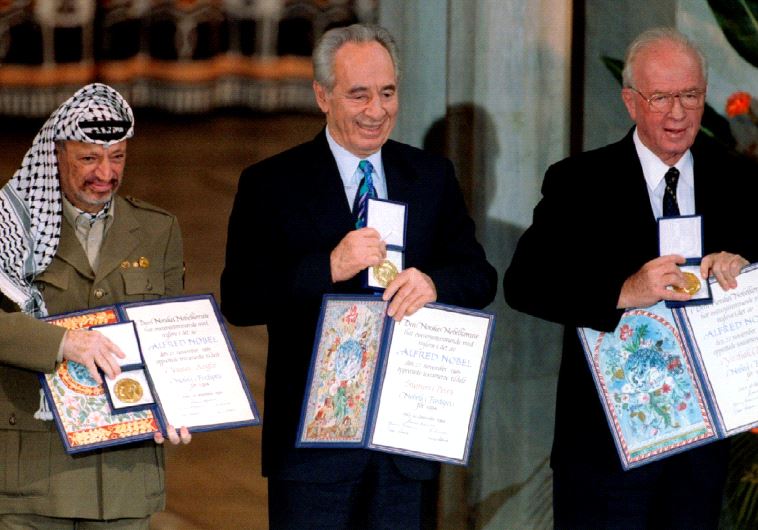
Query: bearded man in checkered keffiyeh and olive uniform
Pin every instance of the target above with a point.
(67, 243)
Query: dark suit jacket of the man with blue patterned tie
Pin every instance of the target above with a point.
(289, 213)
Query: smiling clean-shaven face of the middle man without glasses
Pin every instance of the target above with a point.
(361, 108)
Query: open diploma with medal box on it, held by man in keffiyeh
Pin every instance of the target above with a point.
(180, 369)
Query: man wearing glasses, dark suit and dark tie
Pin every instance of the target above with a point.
(592, 251)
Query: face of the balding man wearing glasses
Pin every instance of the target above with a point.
(665, 67)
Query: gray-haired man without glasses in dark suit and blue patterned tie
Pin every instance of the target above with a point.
(293, 237)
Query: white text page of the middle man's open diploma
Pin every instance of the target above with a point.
(431, 383)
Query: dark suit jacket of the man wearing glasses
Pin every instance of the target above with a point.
(594, 228)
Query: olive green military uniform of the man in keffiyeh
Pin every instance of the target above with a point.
(36, 475)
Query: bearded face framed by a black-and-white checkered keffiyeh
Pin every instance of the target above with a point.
(90, 174)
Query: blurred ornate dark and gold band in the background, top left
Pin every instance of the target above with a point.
(184, 56)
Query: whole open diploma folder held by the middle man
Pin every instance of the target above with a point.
(411, 387)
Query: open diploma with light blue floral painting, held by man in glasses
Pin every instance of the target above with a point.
(671, 379)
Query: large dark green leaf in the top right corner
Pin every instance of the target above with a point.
(739, 22)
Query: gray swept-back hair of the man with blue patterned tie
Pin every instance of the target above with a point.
(331, 41)
